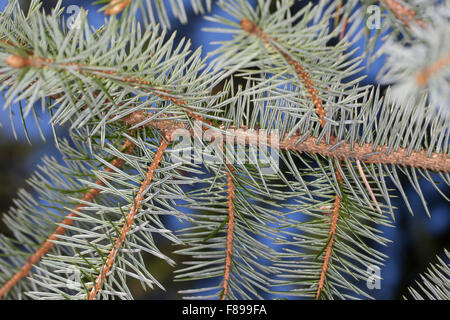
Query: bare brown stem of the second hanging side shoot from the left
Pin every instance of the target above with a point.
(128, 223)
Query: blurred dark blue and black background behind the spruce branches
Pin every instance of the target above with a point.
(416, 239)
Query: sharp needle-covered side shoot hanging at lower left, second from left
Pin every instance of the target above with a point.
(86, 244)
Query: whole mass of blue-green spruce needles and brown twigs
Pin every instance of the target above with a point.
(305, 220)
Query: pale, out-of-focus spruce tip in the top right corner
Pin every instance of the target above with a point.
(421, 61)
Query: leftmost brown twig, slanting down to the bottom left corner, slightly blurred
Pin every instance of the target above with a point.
(61, 229)
